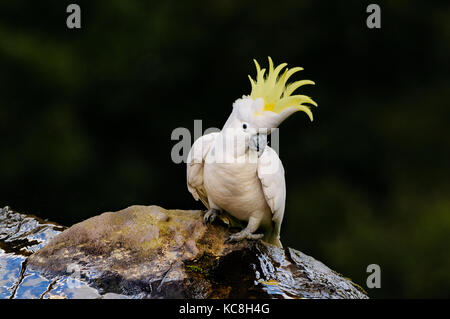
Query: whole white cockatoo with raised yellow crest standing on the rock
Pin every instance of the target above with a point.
(234, 170)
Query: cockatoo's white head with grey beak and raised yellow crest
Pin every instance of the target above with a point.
(270, 102)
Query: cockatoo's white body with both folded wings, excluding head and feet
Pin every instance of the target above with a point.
(247, 190)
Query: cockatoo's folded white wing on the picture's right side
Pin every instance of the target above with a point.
(271, 175)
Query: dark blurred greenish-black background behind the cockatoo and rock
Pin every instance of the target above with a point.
(86, 118)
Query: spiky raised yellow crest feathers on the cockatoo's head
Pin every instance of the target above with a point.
(274, 91)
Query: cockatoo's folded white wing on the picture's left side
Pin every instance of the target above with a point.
(195, 162)
